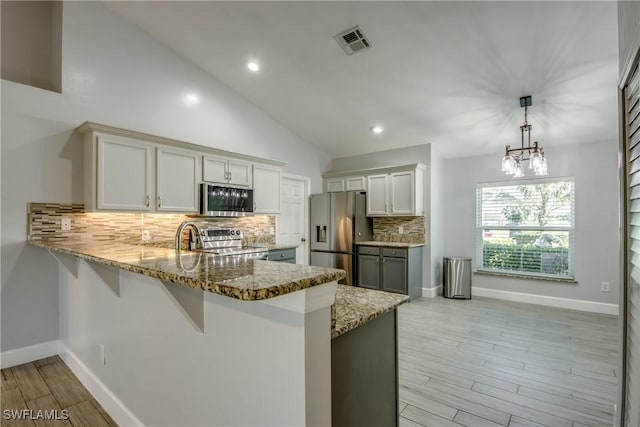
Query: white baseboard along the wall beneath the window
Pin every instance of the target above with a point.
(572, 304)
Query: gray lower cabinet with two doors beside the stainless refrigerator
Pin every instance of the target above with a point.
(391, 269)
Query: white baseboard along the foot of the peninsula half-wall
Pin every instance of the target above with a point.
(109, 401)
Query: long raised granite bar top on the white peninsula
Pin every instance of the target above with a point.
(244, 280)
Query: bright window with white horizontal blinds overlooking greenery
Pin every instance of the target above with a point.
(526, 228)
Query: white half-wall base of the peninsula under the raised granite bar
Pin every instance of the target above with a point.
(251, 363)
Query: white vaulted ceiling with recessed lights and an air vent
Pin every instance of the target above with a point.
(446, 73)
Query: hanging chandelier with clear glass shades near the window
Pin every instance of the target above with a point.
(514, 157)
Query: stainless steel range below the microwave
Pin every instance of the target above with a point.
(225, 242)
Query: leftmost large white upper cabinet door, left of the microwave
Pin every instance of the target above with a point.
(124, 174)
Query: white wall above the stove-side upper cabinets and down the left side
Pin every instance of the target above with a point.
(115, 74)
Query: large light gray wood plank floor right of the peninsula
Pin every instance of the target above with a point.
(485, 362)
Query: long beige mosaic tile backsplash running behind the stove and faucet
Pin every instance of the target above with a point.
(44, 224)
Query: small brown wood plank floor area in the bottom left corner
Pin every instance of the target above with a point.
(55, 397)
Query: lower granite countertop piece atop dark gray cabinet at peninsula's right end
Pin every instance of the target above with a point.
(356, 306)
